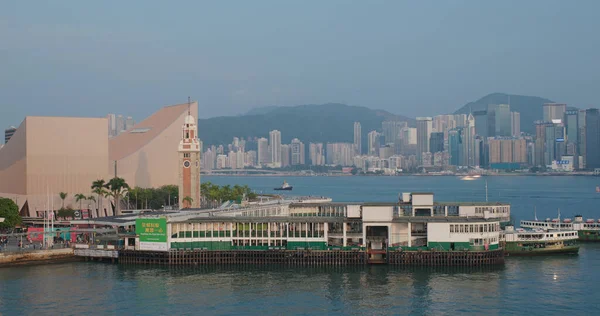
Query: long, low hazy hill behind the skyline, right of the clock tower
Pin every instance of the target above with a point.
(330, 122)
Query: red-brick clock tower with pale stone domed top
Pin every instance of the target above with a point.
(189, 164)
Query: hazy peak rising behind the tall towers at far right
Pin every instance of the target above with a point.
(529, 107)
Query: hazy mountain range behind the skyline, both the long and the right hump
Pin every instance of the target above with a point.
(334, 122)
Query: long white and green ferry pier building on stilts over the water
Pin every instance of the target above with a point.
(415, 223)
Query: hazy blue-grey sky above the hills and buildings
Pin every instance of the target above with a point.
(89, 58)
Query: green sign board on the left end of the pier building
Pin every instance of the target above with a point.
(152, 233)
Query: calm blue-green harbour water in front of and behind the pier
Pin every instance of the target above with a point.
(533, 286)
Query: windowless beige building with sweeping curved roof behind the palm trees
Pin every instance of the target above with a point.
(48, 155)
